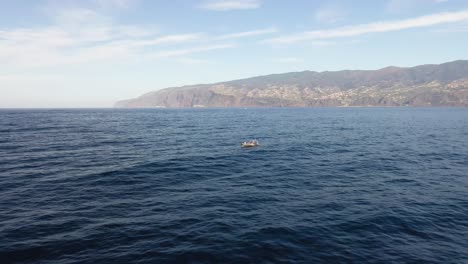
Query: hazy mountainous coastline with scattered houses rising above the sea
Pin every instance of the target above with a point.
(427, 85)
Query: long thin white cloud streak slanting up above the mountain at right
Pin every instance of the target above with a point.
(376, 27)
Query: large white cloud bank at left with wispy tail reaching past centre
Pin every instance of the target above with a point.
(80, 35)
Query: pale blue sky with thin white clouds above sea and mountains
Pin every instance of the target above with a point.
(92, 53)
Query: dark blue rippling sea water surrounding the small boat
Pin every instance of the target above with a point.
(327, 185)
